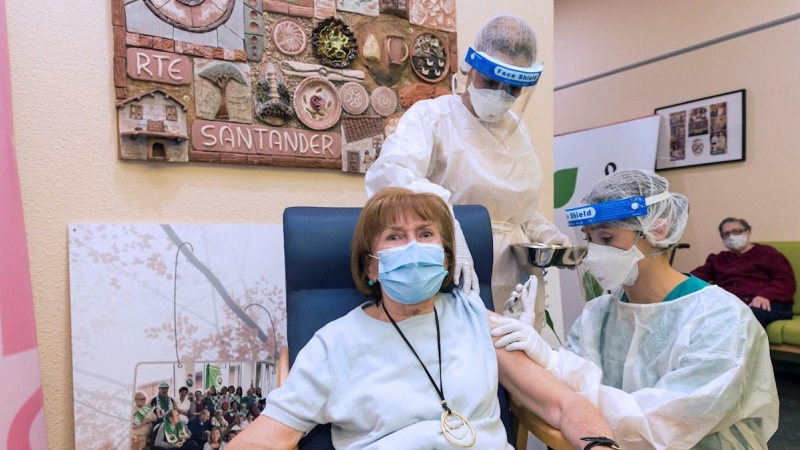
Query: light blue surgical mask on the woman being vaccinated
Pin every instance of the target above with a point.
(412, 272)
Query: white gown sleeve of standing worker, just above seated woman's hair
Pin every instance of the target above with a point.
(406, 156)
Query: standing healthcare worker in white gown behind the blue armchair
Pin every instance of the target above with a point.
(472, 148)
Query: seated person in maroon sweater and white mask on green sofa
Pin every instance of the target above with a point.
(758, 274)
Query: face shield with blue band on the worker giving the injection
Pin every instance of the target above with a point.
(595, 228)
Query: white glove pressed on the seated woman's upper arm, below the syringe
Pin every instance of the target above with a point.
(519, 336)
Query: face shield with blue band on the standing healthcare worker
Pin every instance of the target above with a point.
(499, 92)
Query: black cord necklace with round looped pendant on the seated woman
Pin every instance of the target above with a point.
(455, 427)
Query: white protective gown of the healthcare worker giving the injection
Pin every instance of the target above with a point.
(694, 372)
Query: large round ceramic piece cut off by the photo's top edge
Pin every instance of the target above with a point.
(198, 16)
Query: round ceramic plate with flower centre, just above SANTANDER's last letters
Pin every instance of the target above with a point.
(317, 103)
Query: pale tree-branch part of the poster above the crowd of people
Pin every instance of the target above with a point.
(158, 308)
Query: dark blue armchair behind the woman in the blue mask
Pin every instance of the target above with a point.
(320, 288)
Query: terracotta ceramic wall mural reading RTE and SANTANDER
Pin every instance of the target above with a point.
(291, 83)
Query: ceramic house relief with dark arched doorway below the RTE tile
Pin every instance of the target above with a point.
(152, 127)
